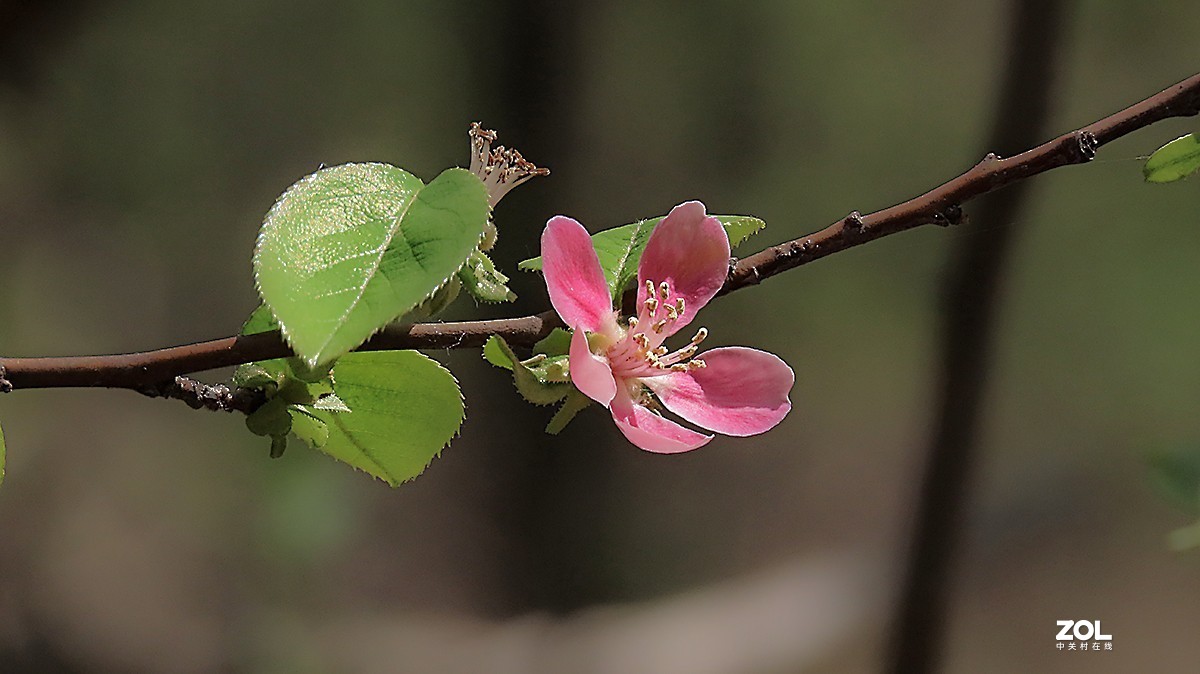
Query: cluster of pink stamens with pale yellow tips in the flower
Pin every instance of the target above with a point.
(640, 353)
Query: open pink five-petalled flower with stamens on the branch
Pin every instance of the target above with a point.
(736, 392)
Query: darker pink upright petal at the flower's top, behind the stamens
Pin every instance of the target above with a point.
(691, 251)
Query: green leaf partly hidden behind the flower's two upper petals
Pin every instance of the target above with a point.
(621, 249)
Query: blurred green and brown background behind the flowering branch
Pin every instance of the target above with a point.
(142, 142)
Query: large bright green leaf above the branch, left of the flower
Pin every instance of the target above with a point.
(351, 249)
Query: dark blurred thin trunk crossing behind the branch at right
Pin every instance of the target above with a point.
(974, 284)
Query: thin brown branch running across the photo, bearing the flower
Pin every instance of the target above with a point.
(941, 206)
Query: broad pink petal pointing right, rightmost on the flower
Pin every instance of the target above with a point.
(742, 392)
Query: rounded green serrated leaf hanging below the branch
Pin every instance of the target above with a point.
(406, 408)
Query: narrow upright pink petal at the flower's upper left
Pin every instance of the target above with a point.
(574, 278)
